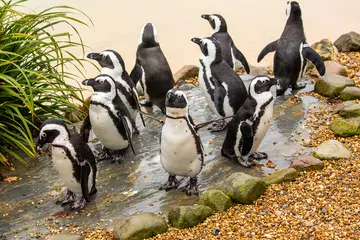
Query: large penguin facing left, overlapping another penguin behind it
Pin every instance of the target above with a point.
(224, 90)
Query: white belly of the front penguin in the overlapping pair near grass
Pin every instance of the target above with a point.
(105, 129)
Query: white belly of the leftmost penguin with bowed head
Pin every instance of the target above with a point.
(64, 167)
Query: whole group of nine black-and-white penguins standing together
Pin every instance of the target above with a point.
(114, 106)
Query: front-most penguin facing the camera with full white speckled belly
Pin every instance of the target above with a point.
(181, 150)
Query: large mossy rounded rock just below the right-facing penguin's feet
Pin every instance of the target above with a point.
(243, 188)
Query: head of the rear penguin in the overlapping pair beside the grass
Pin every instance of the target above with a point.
(109, 59)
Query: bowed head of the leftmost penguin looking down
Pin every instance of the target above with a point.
(50, 131)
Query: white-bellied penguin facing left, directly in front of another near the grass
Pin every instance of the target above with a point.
(109, 117)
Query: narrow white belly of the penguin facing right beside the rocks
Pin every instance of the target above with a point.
(262, 128)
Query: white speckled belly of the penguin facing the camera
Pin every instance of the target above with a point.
(178, 149)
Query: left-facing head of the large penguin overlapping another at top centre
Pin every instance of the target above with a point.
(210, 48)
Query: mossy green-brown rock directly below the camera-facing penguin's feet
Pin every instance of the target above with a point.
(188, 216)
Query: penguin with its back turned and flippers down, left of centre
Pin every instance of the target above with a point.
(152, 69)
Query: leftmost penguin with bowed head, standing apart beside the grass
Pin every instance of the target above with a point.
(73, 160)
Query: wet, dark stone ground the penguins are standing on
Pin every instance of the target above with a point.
(133, 186)
